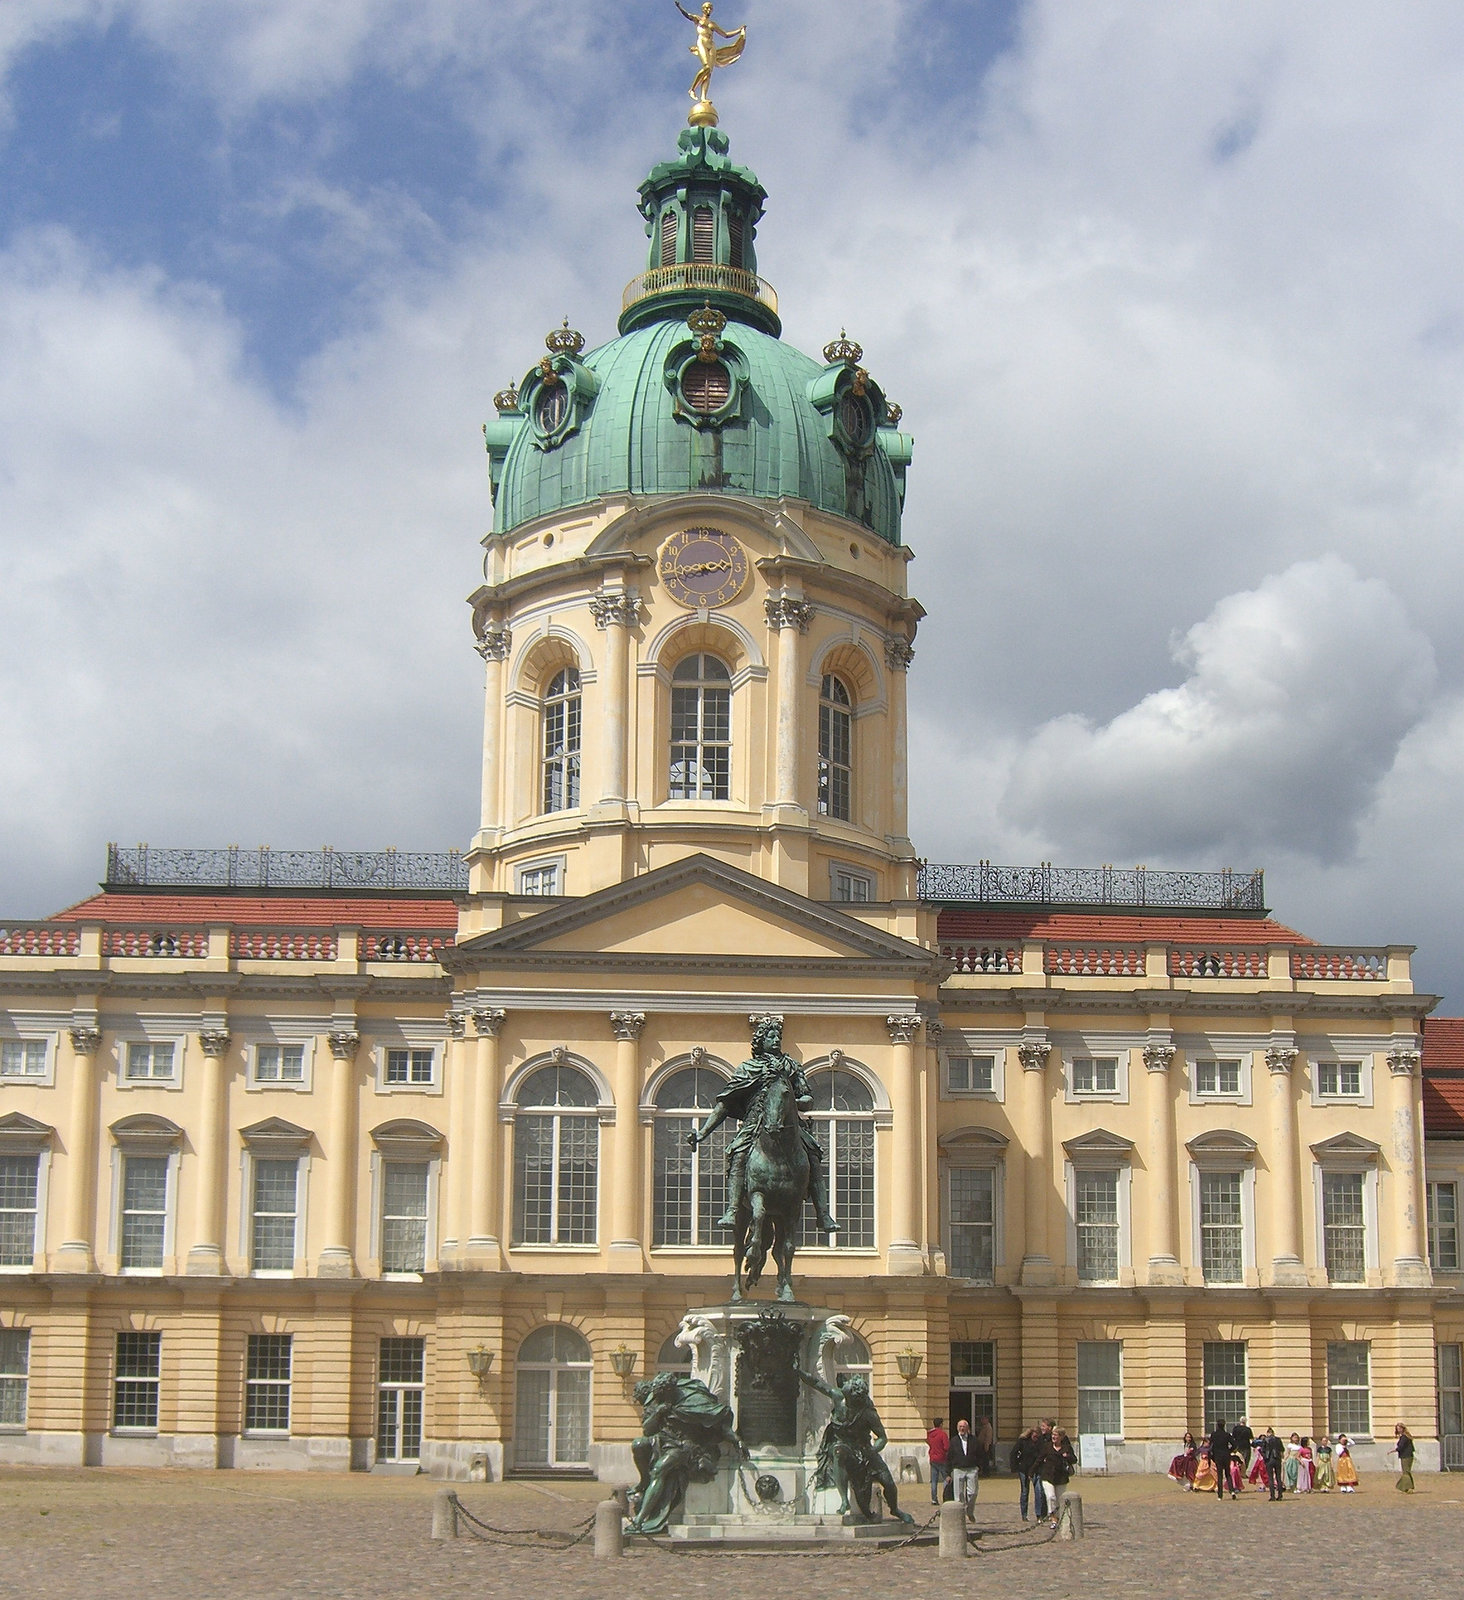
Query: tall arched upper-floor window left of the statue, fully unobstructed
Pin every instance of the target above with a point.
(556, 1159)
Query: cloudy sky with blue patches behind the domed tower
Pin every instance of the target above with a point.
(1170, 298)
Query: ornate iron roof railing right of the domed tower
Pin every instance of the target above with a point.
(1122, 887)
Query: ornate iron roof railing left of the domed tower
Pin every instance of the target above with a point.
(361, 871)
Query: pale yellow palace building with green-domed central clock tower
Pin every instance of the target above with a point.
(377, 1161)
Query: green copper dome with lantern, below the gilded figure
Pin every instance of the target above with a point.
(698, 393)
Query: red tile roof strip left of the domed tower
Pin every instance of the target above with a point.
(266, 911)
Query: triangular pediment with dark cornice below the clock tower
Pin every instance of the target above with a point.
(697, 908)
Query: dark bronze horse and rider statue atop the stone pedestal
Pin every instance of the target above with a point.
(774, 1162)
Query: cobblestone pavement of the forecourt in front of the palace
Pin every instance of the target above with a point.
(257, 1537)
